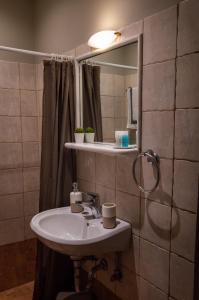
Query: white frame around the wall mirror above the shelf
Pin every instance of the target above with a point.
(78, 79)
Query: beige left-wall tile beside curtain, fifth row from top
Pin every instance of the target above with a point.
(31, 179)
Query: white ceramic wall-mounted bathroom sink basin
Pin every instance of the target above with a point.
(74, 235)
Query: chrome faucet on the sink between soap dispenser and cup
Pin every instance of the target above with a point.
(92, 201)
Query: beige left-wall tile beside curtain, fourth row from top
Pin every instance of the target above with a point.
(31, 154)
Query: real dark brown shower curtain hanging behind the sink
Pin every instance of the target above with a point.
(54, 271)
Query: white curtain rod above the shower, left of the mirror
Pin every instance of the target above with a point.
(36, 53)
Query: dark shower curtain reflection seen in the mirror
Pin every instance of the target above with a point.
(92, 116)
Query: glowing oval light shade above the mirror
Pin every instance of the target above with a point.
(103, 39)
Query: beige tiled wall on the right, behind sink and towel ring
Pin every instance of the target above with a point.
(160, 263)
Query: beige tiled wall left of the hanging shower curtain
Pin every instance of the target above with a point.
(20, 134)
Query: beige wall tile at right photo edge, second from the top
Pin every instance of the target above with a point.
(187, 89)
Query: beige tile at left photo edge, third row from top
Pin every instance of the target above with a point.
(10, 129)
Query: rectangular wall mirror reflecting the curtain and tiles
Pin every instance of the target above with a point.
(110, 91)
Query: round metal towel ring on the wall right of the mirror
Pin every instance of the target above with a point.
(152, 158)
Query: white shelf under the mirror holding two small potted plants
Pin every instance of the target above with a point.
(106, 148)
